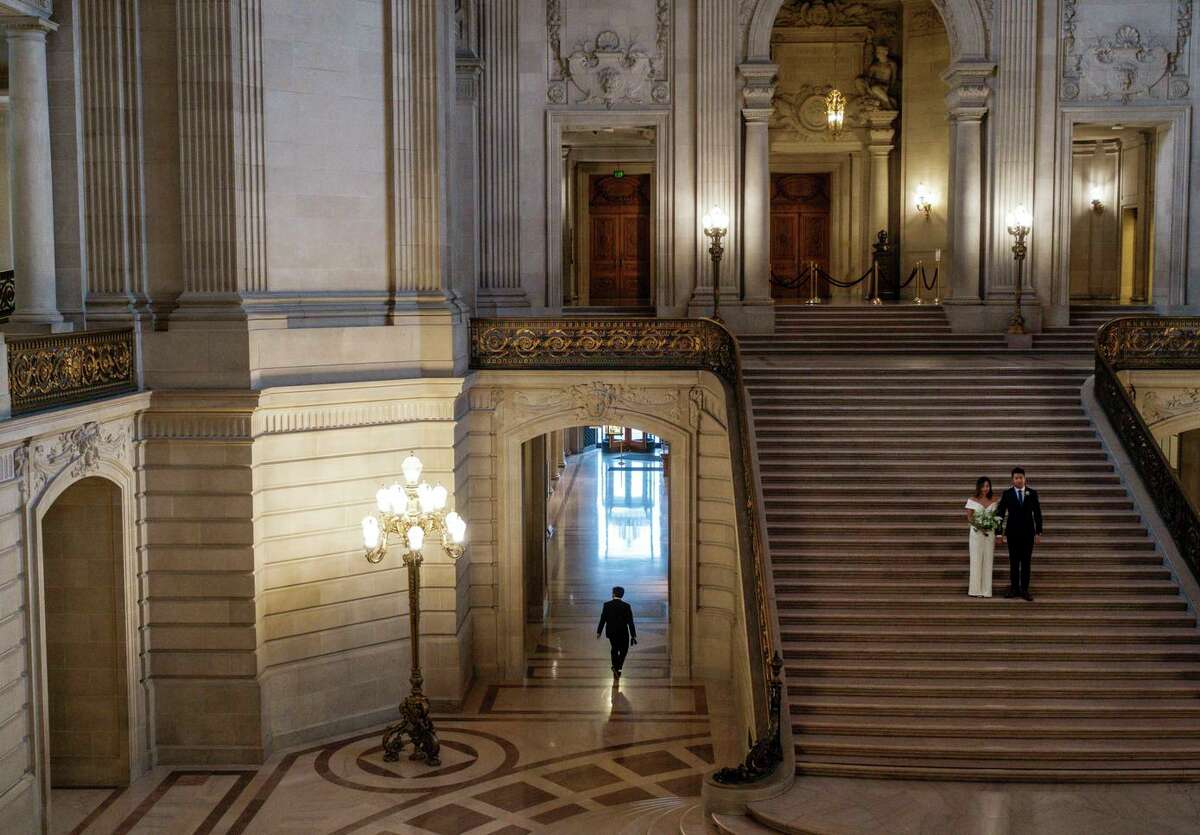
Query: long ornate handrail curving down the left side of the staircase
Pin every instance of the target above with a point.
(671, 345)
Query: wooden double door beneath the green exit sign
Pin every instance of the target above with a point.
(620, 241)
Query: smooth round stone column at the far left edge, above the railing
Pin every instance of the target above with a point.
(29, 158)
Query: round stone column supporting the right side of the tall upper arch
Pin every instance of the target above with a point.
(968, 105)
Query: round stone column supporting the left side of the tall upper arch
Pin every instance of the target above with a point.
(759, 311)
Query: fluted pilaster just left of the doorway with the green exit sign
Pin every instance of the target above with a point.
(500, 278)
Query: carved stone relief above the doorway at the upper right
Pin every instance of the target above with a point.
(1129, 64)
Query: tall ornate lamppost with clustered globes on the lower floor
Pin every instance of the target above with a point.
(411, 513)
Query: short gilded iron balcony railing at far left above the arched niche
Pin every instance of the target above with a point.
(64, 369)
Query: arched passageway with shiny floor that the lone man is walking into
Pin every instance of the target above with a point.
(596, 515)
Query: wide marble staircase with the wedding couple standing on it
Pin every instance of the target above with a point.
(892, 670)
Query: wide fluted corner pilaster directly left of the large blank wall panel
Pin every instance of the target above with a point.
(221, 153)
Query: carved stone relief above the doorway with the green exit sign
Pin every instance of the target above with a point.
(609, 69)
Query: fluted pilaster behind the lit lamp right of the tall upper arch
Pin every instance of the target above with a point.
(1016, 131)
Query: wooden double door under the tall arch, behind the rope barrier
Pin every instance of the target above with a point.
(800, 233)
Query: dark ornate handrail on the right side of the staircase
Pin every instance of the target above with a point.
(1147, 344)
